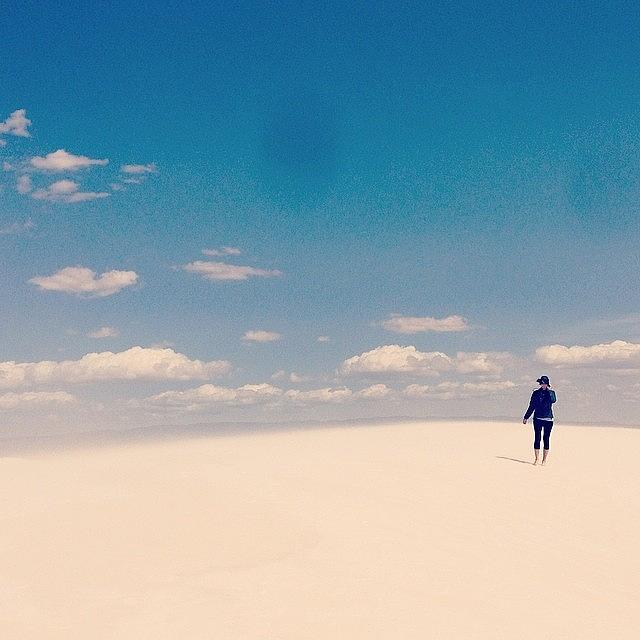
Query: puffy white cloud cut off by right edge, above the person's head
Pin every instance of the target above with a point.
(613, 354)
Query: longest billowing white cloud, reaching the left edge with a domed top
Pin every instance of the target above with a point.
(136, 363)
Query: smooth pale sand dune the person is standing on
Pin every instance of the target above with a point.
(399, 531)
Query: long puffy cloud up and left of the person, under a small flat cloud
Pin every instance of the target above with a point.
(398, 359)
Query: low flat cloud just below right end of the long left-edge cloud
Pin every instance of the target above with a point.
(209, 394)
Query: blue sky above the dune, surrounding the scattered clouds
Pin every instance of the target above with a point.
(414, 159)
